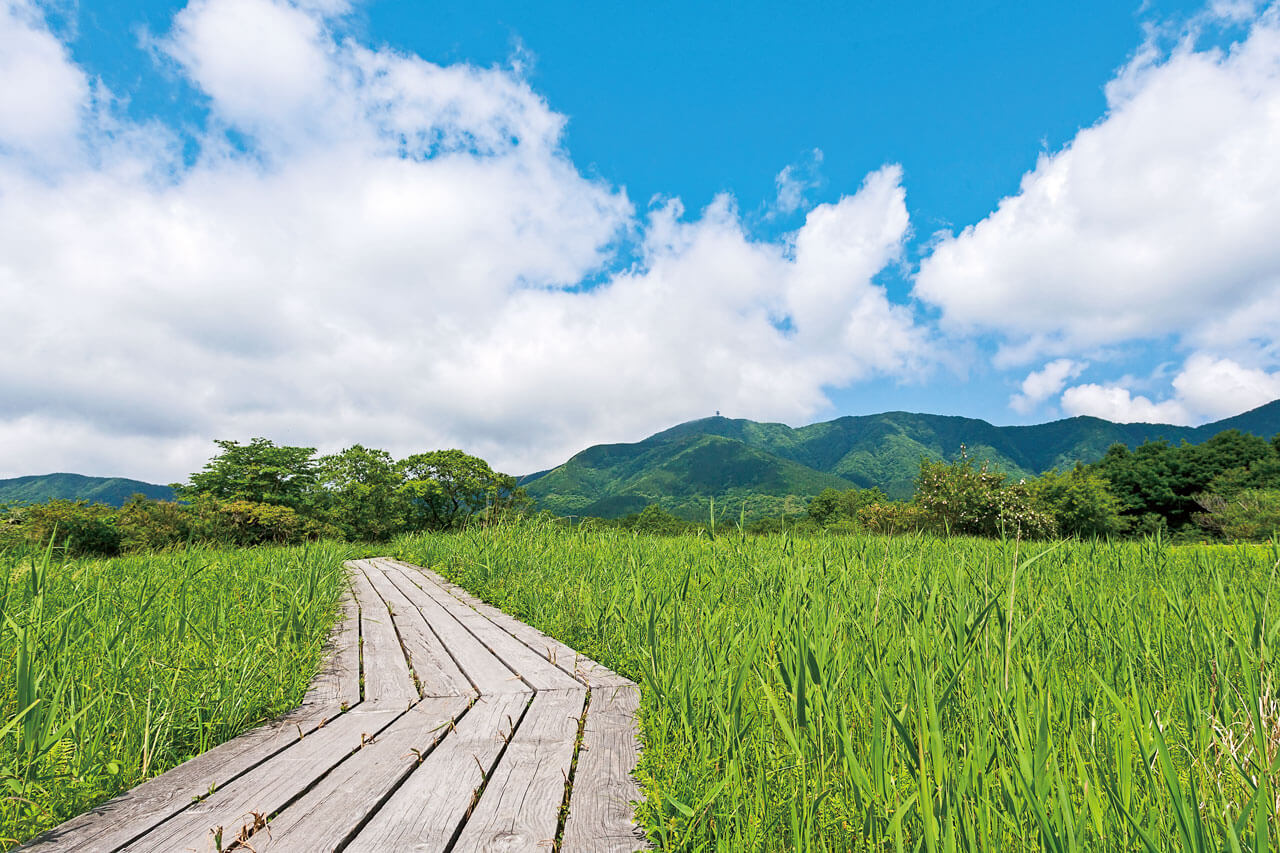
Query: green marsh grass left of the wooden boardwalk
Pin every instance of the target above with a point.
(116, 670)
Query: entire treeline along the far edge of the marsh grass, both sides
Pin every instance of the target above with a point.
(1227, 489)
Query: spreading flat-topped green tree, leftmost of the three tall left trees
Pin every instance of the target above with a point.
(259, 472)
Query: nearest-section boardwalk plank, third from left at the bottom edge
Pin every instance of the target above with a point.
(328, 814)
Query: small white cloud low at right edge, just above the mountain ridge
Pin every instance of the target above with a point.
(1206, 389)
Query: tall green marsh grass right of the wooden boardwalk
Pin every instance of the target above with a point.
(918, 694)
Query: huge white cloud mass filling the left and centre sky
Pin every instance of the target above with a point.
(394, 253)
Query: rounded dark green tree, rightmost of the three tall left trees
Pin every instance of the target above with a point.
(442, 490)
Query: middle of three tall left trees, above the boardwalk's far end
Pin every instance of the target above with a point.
(362, 494)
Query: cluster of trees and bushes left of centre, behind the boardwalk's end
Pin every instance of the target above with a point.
(263, 494)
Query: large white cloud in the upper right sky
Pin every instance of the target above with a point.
(1148, 225)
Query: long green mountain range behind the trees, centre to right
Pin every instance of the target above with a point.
(723, 458)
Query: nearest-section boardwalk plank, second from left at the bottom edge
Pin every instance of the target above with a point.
(269, 787)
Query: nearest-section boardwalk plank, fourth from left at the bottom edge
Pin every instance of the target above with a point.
(427, 811)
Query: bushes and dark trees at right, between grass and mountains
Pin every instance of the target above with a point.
(1227, 489)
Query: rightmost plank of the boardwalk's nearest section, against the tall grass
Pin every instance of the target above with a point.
(601, 814)
